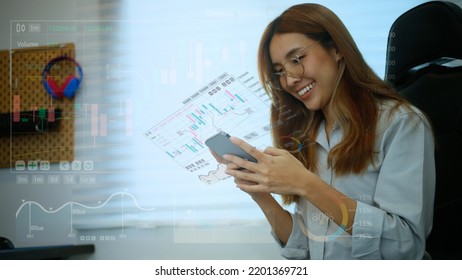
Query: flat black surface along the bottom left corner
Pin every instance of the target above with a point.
(46, 252)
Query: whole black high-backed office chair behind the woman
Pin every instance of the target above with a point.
(422, 45)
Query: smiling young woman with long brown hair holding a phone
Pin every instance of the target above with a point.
(355, 158)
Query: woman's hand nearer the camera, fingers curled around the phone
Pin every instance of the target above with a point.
(277, 171)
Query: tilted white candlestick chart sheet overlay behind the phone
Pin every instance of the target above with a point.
(236, 105)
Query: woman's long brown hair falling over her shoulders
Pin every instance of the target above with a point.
(353, 105)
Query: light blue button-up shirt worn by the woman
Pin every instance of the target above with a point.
(394, 197)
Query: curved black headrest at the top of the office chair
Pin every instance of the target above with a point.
(421, 35)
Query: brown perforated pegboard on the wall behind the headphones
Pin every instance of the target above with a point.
(25, 89)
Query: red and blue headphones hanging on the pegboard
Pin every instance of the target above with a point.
(70, 85)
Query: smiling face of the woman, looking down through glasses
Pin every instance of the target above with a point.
(315, 86)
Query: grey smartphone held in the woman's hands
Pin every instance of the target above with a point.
(221, 145)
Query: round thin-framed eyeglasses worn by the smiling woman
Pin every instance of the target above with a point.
(293, 68)
